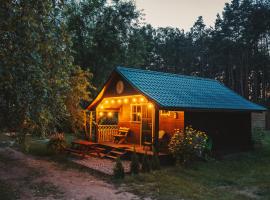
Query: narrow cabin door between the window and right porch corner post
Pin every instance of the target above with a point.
(146, 125)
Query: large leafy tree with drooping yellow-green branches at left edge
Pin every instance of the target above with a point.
(38, 79)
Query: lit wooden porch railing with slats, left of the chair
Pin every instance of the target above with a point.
(106, 132)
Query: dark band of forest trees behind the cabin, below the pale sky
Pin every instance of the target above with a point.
(235, 51)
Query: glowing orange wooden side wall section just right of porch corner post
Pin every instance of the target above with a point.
(174, 120)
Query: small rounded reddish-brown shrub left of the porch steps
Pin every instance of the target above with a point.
(57, 143)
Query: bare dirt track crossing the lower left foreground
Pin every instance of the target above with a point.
(30, 178)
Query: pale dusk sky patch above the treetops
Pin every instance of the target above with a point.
(180, 13)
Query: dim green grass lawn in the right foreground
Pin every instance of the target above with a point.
(239, 176)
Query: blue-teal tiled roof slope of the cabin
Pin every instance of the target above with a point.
(187, 92)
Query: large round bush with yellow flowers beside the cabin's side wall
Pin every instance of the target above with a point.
(186, 145)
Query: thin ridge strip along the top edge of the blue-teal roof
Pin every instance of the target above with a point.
(165, 73)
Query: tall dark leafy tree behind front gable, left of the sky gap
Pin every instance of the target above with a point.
(100, 32)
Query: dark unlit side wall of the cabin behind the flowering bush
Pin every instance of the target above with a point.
(229, 130)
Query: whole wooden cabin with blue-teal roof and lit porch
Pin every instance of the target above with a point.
(151, 103)
